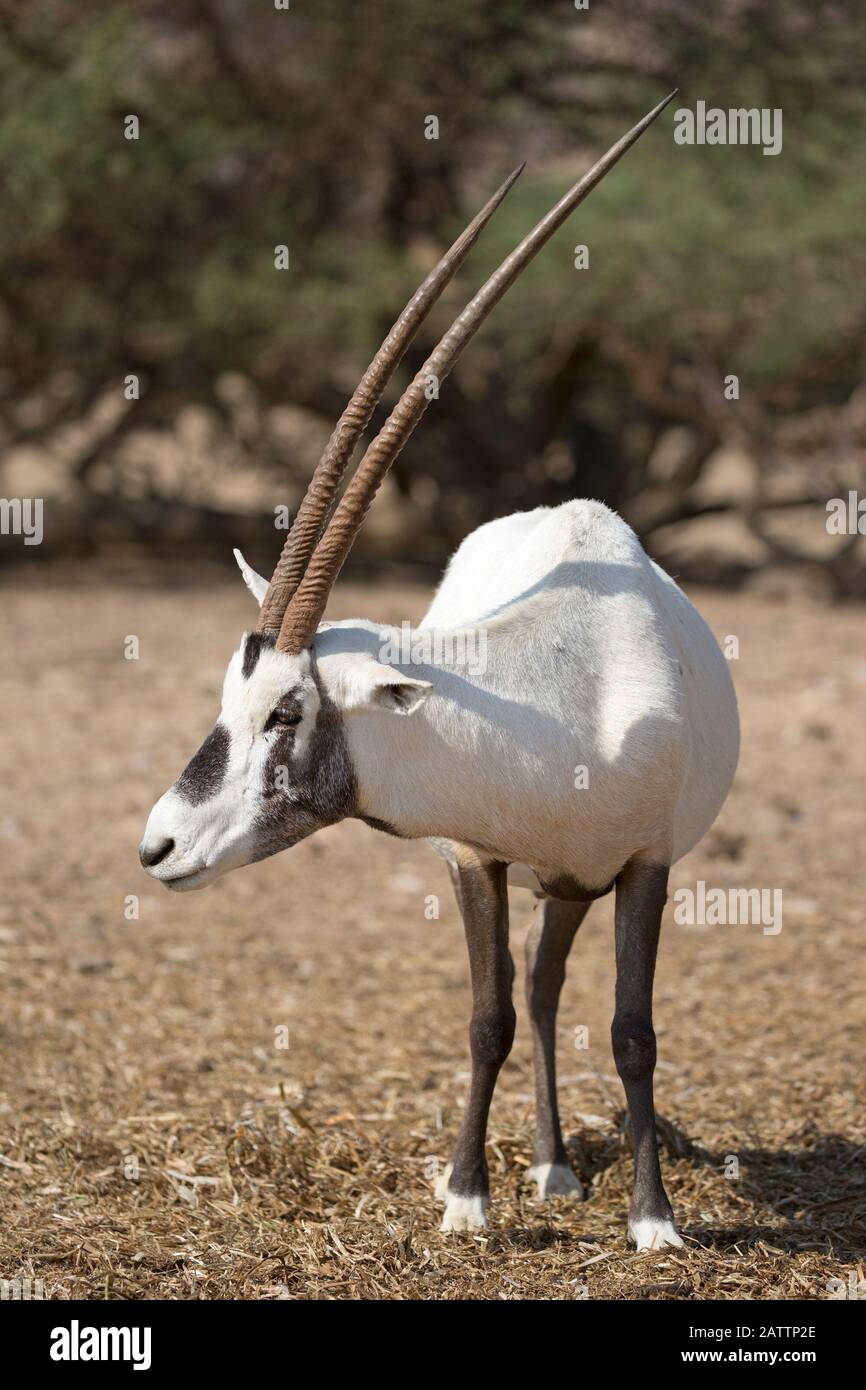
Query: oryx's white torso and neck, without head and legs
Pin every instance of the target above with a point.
(596, 661)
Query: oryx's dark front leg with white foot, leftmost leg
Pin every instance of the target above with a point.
(483, 896)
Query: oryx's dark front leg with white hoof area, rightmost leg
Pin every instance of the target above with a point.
(642, 890)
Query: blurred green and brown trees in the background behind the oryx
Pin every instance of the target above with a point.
(259, 127)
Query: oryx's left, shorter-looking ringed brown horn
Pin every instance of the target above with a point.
(330, 471)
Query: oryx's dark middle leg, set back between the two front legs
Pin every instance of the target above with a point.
(547, 949)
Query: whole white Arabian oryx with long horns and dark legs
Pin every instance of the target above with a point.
(593, 660)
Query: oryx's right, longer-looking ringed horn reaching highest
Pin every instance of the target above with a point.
(305, 611)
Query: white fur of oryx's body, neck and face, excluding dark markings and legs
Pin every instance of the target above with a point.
(603, 723)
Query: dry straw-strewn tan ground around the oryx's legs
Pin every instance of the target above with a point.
(156, 1143)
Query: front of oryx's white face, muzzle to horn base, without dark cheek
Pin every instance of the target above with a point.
(213, 815)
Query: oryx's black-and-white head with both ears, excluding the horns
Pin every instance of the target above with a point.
(276, 765)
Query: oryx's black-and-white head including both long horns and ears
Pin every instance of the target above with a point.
(277, 765)
